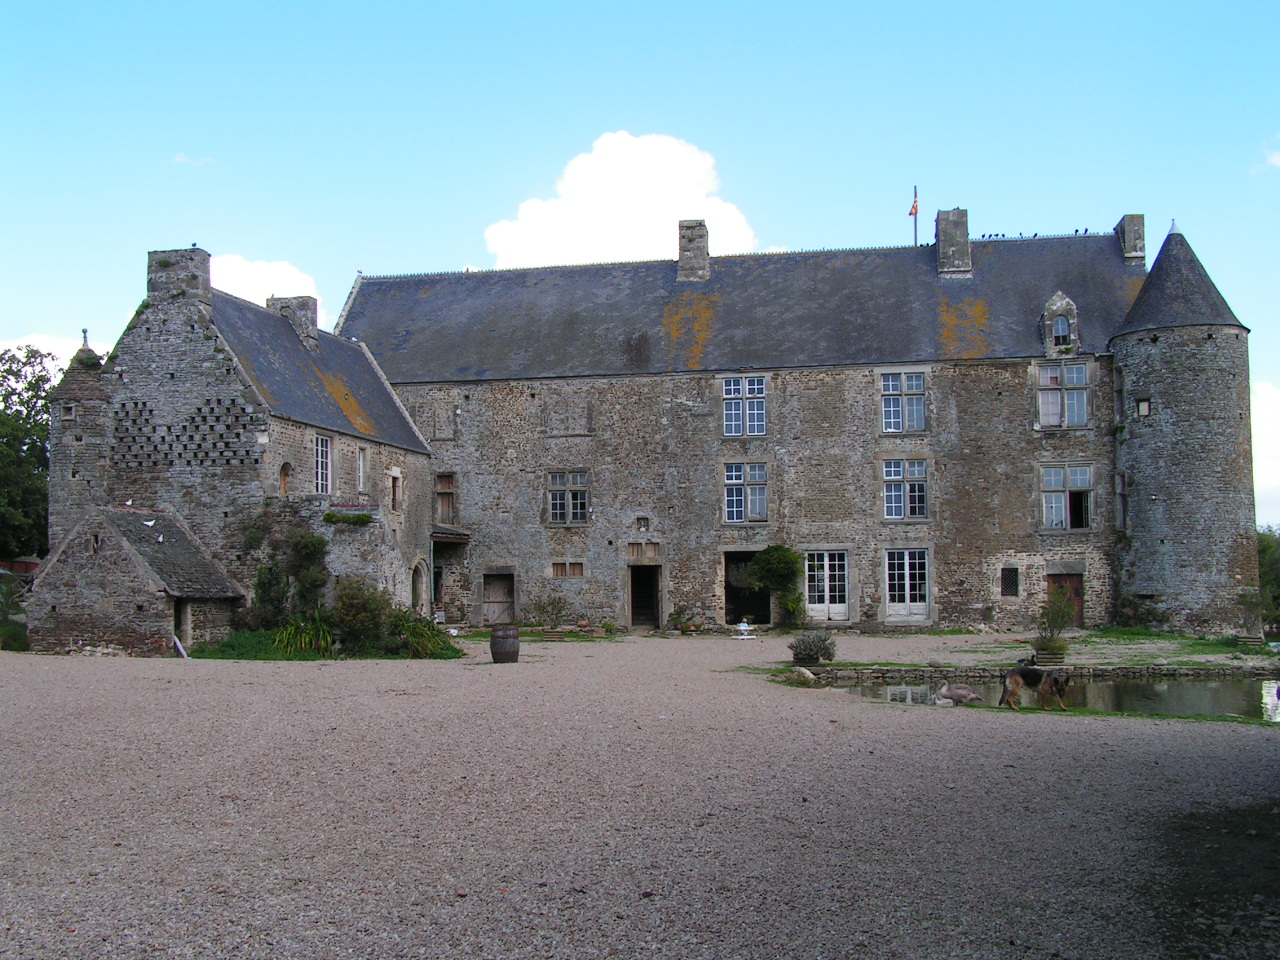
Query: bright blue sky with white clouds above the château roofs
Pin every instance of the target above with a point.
(301, 143)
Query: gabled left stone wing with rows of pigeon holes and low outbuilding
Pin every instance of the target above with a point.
(186, 418)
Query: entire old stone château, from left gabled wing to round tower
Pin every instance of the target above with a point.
(944, 432)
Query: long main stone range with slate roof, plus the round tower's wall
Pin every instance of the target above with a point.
(1014, 465)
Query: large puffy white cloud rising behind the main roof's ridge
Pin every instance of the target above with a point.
(623, 202)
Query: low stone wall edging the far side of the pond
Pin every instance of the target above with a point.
(842, 676)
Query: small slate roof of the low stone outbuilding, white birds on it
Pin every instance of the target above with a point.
(172, 554)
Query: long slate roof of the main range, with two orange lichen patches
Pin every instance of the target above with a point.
(767, 310)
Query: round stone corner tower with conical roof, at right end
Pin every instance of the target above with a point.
(1185, 460)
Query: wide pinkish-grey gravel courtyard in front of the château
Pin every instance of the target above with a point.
(636, 799)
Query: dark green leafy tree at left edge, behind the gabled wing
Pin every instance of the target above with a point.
(26, 382)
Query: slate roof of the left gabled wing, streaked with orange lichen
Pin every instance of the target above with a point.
(335, 387)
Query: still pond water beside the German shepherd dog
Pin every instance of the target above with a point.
(1252, 700)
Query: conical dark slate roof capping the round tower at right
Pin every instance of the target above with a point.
(1177, 292)
